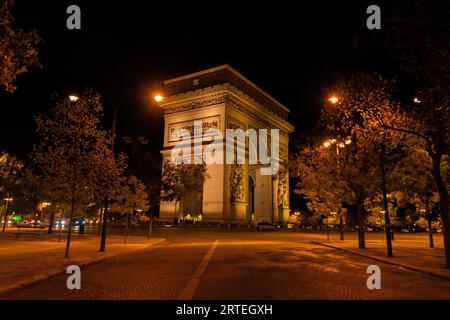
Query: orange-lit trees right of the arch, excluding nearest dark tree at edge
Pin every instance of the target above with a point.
(365, 162)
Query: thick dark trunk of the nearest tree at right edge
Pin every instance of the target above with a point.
(443, 205)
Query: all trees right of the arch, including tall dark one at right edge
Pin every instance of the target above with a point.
(385, 145)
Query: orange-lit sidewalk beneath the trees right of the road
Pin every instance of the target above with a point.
(411, 254)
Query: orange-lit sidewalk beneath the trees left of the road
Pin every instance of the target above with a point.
(34, 259)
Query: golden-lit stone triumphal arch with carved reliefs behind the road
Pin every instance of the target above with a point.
(221, 98)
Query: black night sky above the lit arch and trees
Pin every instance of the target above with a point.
(290, 48)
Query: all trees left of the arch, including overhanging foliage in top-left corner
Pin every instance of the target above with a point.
(73, 165)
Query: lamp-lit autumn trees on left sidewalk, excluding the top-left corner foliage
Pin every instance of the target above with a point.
(73, 166)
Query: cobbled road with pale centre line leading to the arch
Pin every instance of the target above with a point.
(230, 264)
